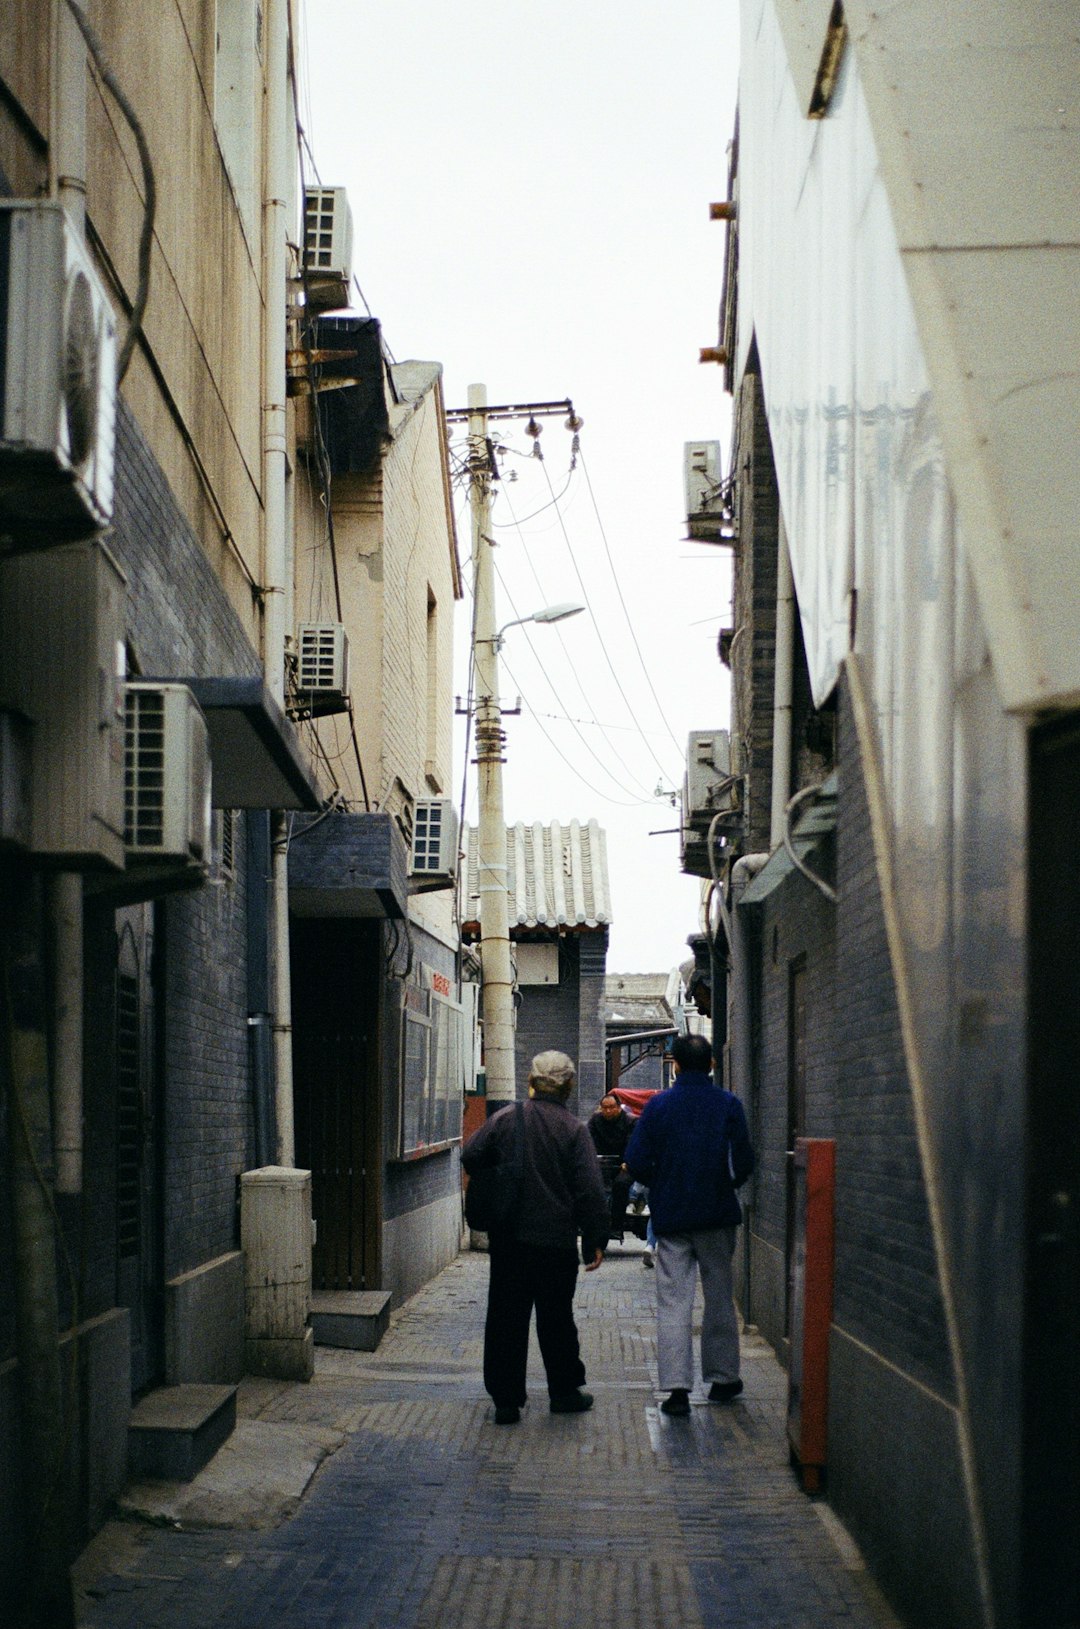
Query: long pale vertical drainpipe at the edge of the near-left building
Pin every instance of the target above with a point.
(278, 564)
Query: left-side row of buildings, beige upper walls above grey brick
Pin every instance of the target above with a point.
(185, 1001)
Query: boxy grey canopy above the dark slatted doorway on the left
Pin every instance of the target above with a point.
(348, 866)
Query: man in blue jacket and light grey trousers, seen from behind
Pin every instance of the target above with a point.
(691, 1148)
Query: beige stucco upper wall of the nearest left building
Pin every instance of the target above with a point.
(196, 389)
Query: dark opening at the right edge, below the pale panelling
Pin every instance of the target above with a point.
(1051, 1472)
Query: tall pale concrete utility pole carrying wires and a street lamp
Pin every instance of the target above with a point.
(496, 972)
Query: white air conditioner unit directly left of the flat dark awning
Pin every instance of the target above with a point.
(167, 776)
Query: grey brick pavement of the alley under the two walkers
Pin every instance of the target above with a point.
(432, 1517)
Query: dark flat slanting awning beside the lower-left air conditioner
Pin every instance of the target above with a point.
(255, 752)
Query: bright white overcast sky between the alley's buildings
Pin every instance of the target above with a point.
(530, 190)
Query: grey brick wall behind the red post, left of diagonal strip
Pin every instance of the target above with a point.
(858, 1092)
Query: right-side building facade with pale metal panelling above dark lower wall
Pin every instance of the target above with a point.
(903, 511)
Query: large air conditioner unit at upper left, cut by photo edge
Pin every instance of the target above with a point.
(58, 379)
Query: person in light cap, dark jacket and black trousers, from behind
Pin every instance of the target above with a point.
(533, 1260)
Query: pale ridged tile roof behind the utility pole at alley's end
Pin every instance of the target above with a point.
(558, 876)
